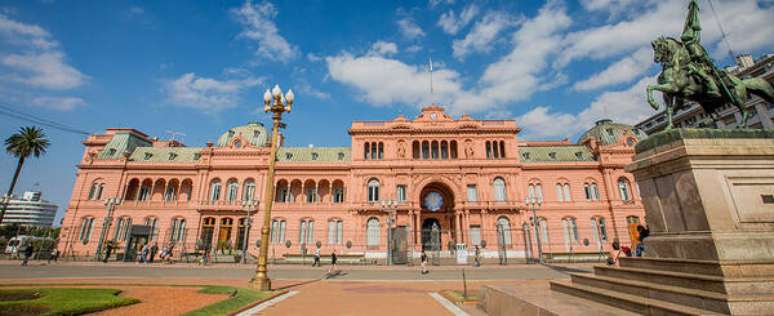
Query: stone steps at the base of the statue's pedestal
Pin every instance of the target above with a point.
(672, 287)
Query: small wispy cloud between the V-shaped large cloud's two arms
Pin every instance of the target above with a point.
(482, 35)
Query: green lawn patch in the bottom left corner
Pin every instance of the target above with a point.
(59, 301)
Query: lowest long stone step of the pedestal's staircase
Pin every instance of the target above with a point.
(630, 302)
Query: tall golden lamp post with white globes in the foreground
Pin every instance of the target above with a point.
(277, 104)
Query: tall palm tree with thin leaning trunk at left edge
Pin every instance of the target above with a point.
(27, 141)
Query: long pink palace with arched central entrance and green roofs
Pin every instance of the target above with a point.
(452, 181)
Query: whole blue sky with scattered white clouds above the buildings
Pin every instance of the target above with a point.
(200, 67)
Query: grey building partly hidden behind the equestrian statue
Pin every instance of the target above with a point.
(693, 116)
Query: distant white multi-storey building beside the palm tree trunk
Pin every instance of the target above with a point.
(30, 210)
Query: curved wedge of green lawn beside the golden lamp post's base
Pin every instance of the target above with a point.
(239, 298)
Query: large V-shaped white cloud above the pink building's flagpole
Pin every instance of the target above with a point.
(385, 81)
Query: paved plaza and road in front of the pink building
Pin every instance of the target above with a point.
(355, 290)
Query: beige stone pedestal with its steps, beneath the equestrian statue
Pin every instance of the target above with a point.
(709, 203)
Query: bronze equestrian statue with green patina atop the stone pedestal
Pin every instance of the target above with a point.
(688, 73)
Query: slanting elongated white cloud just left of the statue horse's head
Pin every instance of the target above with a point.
(624, 70)
